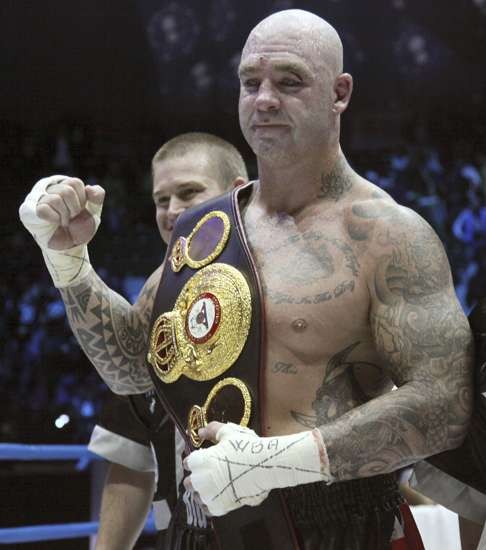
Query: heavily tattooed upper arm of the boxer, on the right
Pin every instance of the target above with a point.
(418, 325)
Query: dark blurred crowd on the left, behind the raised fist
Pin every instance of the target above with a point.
(49, 391)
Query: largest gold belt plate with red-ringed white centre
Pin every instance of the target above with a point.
(205, 332)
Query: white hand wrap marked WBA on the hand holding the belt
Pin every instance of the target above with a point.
(243, 467)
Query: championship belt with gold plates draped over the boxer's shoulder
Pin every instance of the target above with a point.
(206, 352)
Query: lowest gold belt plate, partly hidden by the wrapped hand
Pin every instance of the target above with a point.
(234, 407)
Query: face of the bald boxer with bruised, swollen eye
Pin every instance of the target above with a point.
(286, 97)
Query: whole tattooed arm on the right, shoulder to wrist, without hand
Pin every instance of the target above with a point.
(424, 340)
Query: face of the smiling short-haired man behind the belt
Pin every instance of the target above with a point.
(180, 183)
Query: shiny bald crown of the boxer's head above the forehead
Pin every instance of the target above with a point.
(303, 31)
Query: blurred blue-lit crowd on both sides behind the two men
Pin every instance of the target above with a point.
(49, 391)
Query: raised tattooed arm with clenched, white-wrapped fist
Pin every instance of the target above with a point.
(63, 215)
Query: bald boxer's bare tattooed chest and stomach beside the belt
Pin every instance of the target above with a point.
(317, 322)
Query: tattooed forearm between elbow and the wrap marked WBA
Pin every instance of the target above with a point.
(395, 430)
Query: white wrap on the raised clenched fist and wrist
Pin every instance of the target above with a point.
(66, 267)
